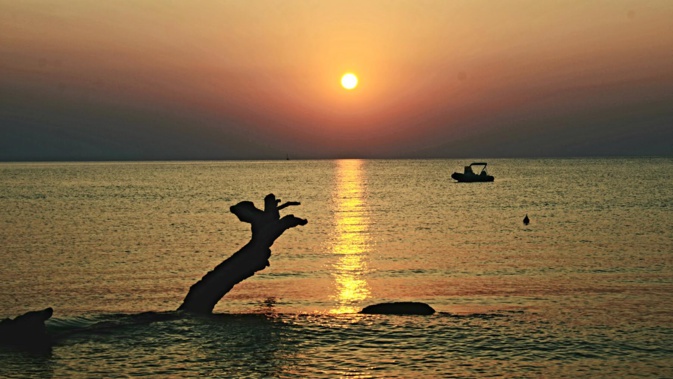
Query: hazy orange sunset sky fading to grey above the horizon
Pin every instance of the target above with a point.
(213, 79)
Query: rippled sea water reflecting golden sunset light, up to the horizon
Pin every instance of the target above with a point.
(585, 290)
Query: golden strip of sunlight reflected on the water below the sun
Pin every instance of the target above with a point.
(351, 240)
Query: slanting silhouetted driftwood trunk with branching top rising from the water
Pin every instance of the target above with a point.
(267, 226)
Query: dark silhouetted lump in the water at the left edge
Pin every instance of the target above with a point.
(26, 331)
